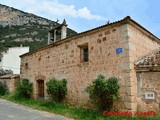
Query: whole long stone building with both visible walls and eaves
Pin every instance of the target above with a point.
(111, 50)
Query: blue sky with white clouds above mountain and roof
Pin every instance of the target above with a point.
(82, 15)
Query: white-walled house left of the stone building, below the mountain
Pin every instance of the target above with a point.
(10, 59)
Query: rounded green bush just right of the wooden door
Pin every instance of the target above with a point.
(57, 89)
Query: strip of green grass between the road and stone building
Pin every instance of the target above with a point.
(66, 110)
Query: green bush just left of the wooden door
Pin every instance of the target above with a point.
(24, 88)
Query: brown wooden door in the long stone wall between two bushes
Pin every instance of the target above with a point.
(40, 88)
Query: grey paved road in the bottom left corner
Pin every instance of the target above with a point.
(12, 111)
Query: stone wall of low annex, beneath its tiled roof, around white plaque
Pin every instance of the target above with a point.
(148, 82)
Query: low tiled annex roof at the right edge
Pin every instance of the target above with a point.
(149, 62)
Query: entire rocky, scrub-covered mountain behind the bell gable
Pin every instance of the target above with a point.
(18, 27)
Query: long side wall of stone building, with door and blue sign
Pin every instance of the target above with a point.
(63, 61)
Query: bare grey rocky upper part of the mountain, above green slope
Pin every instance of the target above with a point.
(13, 17)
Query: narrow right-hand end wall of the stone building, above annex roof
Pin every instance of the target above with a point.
(139, 46)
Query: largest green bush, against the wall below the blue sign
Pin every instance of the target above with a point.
(103, 92)
